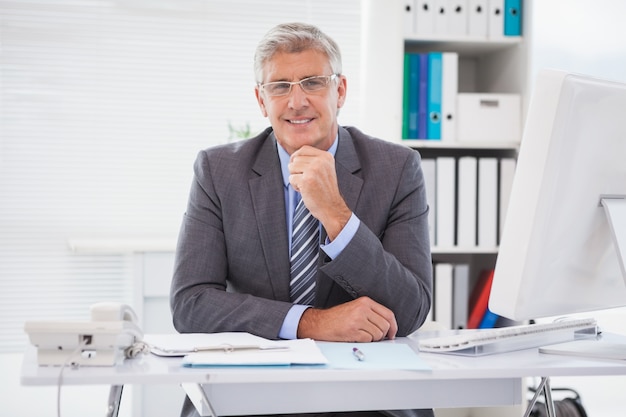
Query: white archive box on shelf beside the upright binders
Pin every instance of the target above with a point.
(488, 117)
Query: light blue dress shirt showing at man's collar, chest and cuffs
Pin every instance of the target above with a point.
(289, 328)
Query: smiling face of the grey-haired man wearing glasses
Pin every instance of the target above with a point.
(301, 118)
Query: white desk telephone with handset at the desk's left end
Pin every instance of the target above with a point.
(110, 336)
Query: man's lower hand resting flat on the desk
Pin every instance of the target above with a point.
(360, 320)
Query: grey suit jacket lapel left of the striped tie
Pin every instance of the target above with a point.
(269, 208)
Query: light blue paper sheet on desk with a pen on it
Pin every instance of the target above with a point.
(378, 355)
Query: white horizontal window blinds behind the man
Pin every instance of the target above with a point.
(104, 105)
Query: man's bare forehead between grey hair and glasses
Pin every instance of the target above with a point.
(285, 66)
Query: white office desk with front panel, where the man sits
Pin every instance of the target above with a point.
(454, 381)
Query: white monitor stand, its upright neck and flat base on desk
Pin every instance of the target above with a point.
(609, 347)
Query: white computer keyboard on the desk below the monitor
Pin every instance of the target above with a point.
(506, 339)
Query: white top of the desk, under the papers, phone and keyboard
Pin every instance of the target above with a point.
(150, 369)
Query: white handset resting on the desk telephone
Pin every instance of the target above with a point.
(120, 312)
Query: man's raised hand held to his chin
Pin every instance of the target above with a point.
(313, 174)
